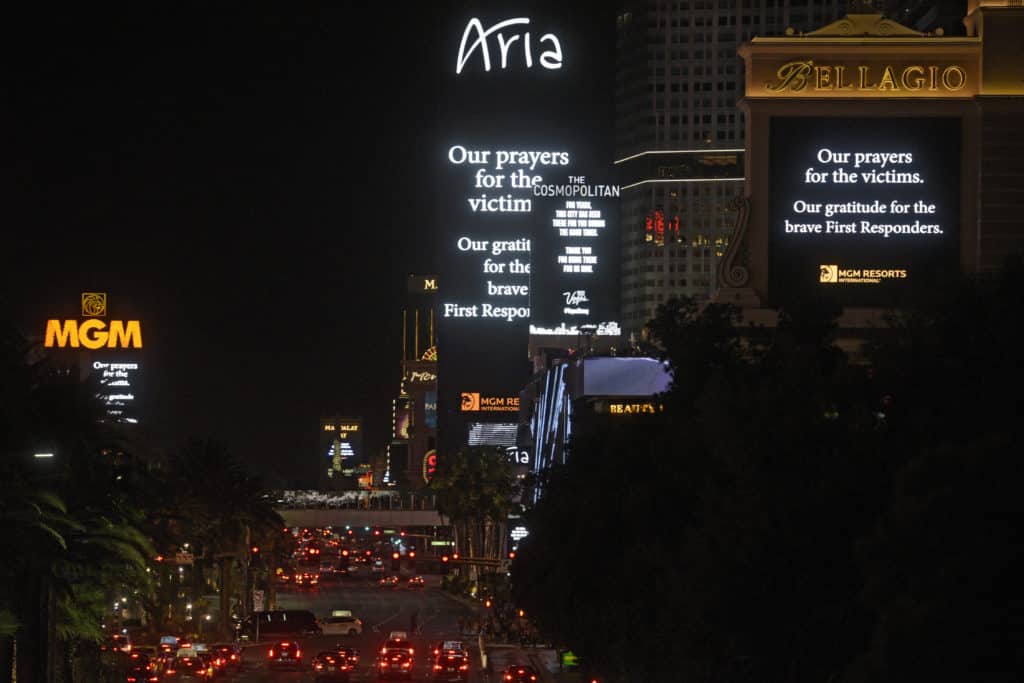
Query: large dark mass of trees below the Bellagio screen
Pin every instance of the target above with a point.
(799, 514)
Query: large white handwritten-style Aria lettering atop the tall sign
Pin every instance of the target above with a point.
(477, 40)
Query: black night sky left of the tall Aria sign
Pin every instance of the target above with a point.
(252, 182)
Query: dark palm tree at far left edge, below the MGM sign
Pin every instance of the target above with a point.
(69, 535)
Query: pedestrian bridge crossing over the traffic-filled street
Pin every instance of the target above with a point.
(357, 508)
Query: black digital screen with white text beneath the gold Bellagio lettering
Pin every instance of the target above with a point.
(865, 211)
